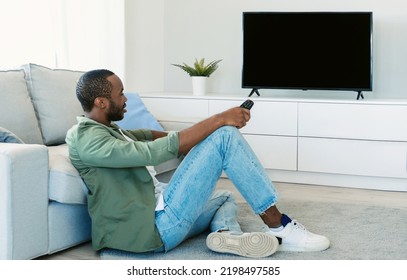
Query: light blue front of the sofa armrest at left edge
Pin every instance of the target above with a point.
(23, 201)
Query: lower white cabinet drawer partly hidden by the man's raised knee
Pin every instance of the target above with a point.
(275, 152)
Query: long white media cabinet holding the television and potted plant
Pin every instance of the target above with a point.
(326, 141)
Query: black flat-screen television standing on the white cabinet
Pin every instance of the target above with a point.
(307, 51)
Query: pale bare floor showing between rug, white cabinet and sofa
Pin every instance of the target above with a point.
(288, 191)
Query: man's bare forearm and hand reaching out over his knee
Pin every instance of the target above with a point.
(191, 136)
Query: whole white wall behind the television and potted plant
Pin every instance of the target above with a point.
(175, 31)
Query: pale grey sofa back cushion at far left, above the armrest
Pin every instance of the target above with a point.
(17, 112)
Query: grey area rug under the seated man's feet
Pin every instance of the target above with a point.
(356, 232)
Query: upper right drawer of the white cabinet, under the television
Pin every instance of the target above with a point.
(353, 121)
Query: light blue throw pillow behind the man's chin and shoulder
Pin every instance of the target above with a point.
(138, 116)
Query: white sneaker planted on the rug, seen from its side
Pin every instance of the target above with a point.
(294, 237)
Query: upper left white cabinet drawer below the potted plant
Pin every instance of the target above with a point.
(177, 109)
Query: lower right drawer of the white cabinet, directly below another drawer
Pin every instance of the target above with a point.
(365, 158)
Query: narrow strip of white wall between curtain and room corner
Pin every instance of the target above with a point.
(144, 21)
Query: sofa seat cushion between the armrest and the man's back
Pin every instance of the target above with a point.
(65, 184)
